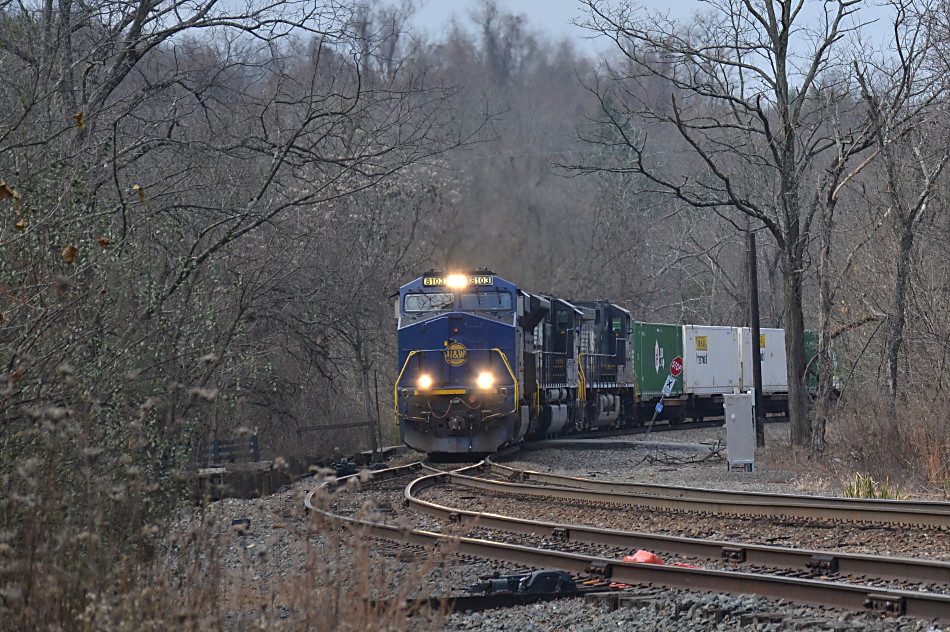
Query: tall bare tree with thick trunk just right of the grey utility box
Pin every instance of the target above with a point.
(749, 84)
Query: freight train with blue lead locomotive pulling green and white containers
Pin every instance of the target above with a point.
(484, 364)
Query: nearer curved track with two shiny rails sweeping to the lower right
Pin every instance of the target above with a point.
(812, 588)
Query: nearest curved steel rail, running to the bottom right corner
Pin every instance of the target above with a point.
(811, 591)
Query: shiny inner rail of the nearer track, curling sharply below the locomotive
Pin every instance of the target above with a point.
(812, 561)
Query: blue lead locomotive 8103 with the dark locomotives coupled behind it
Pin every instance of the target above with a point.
(484, 364)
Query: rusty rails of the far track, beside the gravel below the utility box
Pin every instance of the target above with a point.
(925, 513)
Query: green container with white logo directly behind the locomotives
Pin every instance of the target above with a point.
(654, 347)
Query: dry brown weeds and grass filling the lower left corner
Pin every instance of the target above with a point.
(97, 536)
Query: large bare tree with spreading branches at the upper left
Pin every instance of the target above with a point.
(149, 144)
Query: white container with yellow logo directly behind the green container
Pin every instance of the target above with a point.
(711, 359)
